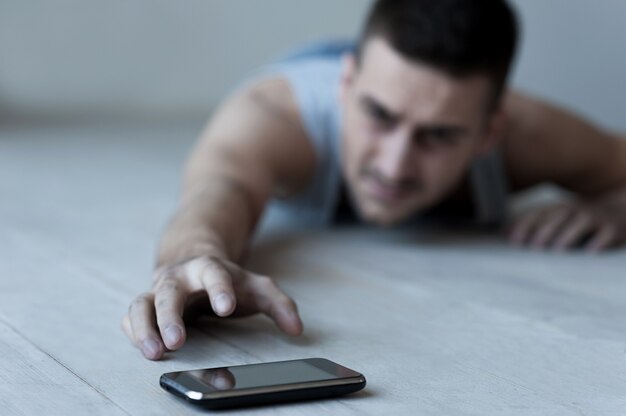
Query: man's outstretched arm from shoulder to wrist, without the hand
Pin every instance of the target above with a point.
(253, 149)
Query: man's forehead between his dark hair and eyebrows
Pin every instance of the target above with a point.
(418, 90)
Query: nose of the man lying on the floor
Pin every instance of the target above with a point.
(395, 155)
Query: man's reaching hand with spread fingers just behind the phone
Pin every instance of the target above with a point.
(154, 322)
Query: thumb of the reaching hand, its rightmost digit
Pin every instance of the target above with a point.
(273, 302)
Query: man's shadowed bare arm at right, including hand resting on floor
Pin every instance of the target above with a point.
(546, 144)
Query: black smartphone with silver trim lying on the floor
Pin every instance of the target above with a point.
(264, 383)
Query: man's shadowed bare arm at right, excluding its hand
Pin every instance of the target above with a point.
(544, 143)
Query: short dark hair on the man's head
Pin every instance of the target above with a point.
(460, 37)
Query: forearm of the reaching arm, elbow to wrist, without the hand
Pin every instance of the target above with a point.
(216, 218)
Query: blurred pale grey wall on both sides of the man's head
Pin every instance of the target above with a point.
(164, 56)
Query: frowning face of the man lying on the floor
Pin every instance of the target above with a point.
(409, 132)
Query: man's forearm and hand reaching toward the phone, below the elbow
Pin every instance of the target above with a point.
(208, 231)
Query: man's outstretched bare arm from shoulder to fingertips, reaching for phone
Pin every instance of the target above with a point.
(253, 148)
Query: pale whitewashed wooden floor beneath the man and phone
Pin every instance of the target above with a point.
(440, 323)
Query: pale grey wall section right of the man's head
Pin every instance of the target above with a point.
(574, 53)
